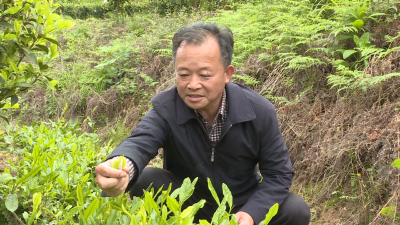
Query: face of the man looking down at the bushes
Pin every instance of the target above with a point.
(200, 76)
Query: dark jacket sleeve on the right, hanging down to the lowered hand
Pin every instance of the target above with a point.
(275, 167)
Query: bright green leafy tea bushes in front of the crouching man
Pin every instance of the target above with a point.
(51, 181)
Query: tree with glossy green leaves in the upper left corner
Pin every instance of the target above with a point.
(26, 46)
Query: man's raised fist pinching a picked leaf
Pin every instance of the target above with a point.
(112, 181)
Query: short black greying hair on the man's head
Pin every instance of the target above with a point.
(198, 33)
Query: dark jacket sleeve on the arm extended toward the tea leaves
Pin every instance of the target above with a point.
(142, 145)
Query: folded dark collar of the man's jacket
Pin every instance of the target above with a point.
(239, 110)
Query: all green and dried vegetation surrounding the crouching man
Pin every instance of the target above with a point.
(316, 60)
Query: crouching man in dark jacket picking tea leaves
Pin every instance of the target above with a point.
(210, 127)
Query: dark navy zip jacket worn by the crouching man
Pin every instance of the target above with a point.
(250, 135)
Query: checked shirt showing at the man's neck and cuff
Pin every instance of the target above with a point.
(213, 131)
